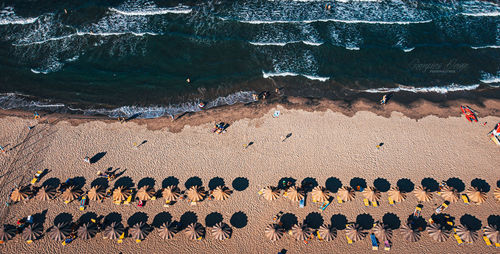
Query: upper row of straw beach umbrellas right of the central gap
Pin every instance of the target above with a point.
(346, 193)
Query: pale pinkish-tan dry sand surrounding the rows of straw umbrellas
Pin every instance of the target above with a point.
(323, 145)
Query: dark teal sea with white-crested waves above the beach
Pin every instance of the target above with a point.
(130, 57)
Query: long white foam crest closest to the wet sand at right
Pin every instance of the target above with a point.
(432, 89)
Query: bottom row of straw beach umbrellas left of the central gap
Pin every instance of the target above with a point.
(113, 231)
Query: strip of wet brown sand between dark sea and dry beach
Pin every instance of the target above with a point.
(417, 109)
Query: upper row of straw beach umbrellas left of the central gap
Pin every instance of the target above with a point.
(121, 193)
